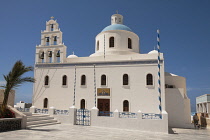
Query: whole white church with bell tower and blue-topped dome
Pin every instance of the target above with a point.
(115, 77)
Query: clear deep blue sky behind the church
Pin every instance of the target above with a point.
(184, 33)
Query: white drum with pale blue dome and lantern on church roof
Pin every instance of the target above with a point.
(116, 39)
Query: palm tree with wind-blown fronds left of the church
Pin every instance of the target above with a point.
(13, 80)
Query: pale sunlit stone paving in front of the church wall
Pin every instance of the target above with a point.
(75, 132)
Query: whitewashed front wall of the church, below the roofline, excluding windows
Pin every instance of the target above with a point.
(140, 96)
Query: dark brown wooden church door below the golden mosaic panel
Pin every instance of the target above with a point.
(104, 107)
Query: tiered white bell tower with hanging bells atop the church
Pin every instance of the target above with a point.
(51, 49)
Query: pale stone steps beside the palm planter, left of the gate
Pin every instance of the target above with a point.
(37, 120)
